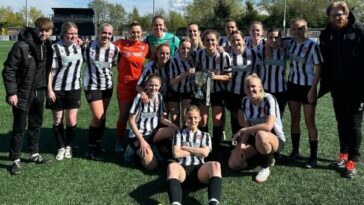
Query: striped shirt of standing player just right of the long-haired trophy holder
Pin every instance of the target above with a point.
(243, 65)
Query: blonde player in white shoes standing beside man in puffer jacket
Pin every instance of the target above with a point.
(64, 87)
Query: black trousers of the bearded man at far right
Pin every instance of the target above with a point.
(349, 117)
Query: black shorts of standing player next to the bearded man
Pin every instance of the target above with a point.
(298, 93)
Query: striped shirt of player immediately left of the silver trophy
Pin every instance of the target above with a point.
(177, 67)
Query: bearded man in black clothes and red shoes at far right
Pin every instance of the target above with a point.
(342, 47)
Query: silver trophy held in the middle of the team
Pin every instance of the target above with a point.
(202, 86)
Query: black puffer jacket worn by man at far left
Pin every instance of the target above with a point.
(21, 68)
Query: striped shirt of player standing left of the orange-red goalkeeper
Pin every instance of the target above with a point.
(99, 61)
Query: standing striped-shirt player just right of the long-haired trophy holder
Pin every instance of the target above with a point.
(243, 64)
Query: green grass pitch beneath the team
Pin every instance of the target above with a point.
(112, 181)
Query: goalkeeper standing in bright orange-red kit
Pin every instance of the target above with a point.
(130, 67)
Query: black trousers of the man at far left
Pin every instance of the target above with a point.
(33, 117)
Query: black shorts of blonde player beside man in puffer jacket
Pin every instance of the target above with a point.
(65, 100)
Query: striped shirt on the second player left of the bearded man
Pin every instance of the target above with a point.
(273, 71)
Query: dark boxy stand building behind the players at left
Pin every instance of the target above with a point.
(83, 17)
